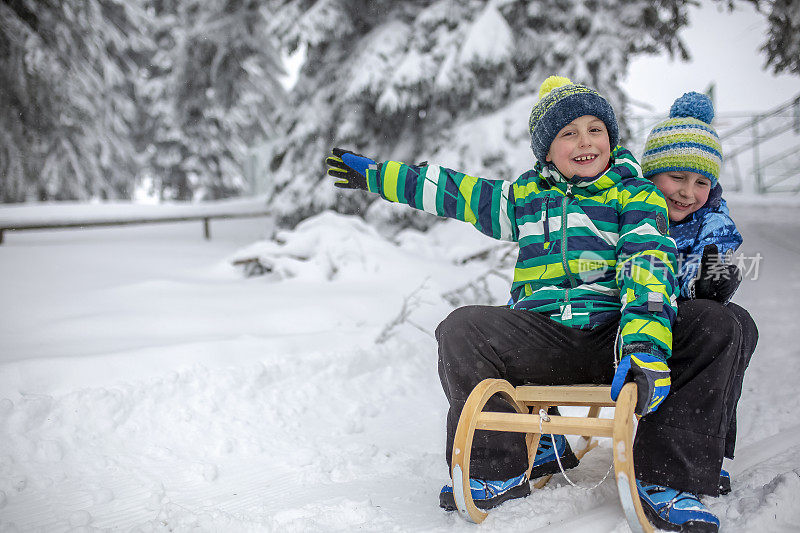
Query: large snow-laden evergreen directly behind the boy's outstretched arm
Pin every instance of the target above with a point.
(391, 79)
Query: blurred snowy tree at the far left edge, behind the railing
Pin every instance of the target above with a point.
(65, 99)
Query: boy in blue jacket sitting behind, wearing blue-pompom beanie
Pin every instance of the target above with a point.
(683, 156)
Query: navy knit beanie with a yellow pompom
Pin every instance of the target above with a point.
(561, 102)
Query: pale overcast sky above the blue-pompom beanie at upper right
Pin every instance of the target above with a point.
(725, 50)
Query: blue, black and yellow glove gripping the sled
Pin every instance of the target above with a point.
(651, 375)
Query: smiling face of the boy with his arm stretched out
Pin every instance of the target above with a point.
(581, 148)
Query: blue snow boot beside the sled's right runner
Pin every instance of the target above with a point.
(676, 510)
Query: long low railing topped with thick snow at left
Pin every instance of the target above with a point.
(64, 216)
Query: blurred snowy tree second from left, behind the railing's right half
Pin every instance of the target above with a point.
(206, 94)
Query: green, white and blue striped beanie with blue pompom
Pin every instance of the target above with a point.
(685, 141)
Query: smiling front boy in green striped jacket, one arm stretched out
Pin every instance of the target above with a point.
(594, 292)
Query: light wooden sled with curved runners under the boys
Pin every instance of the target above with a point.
(528, 400)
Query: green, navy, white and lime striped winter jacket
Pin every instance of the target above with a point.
(612, 260)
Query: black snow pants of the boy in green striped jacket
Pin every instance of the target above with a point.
(680, 446)
